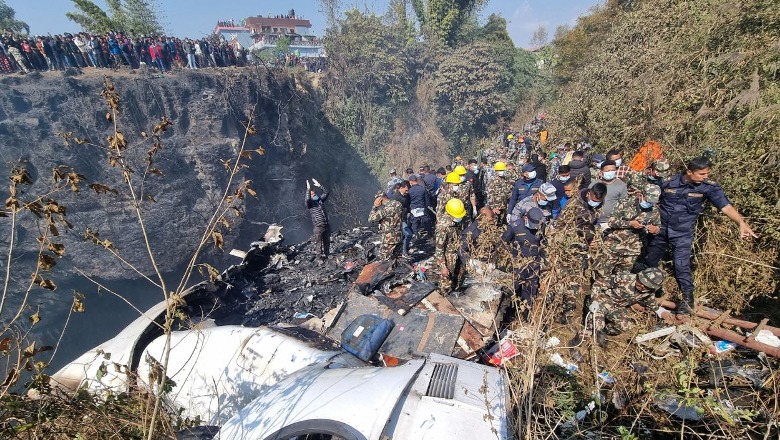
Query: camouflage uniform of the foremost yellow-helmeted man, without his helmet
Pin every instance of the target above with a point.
(447, 238)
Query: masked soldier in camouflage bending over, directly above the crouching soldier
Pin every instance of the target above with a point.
(633, 221)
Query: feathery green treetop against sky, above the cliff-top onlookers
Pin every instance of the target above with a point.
(136, 17)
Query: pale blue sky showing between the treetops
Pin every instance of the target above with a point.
(196, 18)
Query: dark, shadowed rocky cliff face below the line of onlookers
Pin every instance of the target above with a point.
(207, 111)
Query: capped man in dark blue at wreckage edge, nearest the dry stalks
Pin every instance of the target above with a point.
(522, 234)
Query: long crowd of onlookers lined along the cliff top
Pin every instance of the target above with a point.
(24, 54)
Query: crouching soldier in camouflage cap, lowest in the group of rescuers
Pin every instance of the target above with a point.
(612, 307)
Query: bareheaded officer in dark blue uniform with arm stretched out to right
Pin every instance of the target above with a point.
(682, 199)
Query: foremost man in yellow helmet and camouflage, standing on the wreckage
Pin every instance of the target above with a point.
(448, 232)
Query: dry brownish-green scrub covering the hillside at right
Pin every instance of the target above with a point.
(700, 77)
